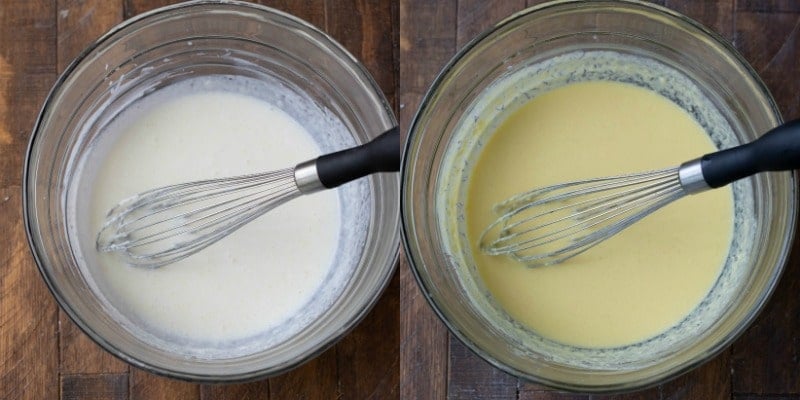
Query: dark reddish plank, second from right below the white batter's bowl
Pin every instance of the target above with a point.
(317, 379)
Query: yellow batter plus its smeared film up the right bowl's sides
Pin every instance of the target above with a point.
(652, 296)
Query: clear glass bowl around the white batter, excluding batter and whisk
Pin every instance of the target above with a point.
(156, 50)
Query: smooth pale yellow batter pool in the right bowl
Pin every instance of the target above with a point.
(637, 284)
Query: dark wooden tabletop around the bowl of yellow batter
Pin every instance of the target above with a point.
(763, 364)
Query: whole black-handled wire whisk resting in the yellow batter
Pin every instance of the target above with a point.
(548, 225)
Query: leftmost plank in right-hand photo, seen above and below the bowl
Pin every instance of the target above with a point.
(427, 41)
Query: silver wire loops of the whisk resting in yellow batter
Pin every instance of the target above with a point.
(549, 225)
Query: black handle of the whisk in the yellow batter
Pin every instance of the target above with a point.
(776, 150)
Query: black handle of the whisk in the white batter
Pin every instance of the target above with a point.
(382, 154)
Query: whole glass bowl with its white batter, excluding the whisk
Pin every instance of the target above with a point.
(202, 90)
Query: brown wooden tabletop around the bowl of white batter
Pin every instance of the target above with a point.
(43, 355)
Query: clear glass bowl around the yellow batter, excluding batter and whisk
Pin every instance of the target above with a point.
(551, 45)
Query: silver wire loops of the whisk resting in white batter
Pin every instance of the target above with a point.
(164, 225)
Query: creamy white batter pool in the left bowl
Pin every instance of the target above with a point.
(267, 274)
